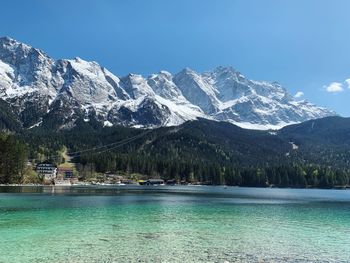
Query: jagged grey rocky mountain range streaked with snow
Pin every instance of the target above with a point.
(43, 91)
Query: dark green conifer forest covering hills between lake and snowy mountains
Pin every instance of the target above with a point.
(311, 154)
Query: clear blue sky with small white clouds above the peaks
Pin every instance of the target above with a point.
(302, 44)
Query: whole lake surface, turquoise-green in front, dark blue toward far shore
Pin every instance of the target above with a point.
(173, 224)
